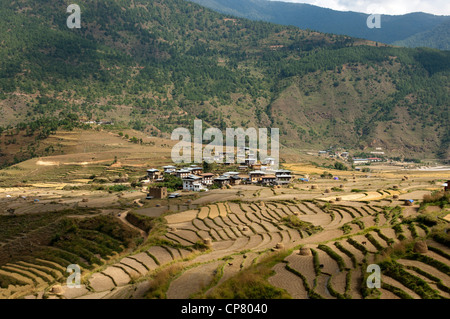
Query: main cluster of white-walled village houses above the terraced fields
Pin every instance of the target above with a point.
(194, 179)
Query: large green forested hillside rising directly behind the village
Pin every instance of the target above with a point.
(157, 65)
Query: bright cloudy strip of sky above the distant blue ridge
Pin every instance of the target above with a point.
(391, 7)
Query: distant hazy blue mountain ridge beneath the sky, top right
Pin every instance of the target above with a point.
(394, 29)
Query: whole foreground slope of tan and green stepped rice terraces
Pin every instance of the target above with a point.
(310, 249)
